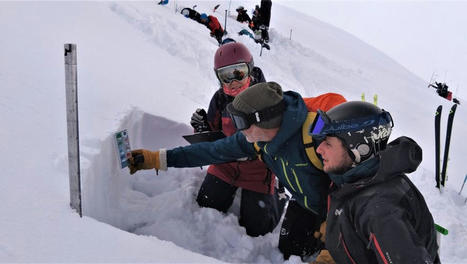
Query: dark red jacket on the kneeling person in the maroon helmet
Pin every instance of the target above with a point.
(252, 175)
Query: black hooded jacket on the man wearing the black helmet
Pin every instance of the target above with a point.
(377, 215)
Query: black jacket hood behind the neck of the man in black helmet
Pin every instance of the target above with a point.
(402, 155)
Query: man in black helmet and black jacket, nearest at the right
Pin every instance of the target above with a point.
(375, 214)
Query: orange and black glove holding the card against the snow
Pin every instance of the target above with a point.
(142, 159)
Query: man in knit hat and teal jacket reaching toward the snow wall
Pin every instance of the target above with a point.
(274, 120)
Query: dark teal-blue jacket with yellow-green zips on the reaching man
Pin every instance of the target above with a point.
(284, 155)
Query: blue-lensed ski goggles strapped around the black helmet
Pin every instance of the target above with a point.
(324, 126)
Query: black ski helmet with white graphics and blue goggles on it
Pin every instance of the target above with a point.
(363, 128)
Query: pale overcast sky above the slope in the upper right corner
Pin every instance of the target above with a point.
(425, 36)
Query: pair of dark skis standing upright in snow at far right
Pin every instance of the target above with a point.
(440, 175)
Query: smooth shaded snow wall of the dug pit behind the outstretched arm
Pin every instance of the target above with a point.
(111, 194)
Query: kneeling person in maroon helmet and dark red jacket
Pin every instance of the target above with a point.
(260, 209)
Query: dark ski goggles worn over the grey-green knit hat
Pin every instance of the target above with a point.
(243, 121)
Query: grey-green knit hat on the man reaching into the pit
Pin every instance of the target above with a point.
(259, 97)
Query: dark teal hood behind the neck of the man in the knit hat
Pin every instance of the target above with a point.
(292, 121)
